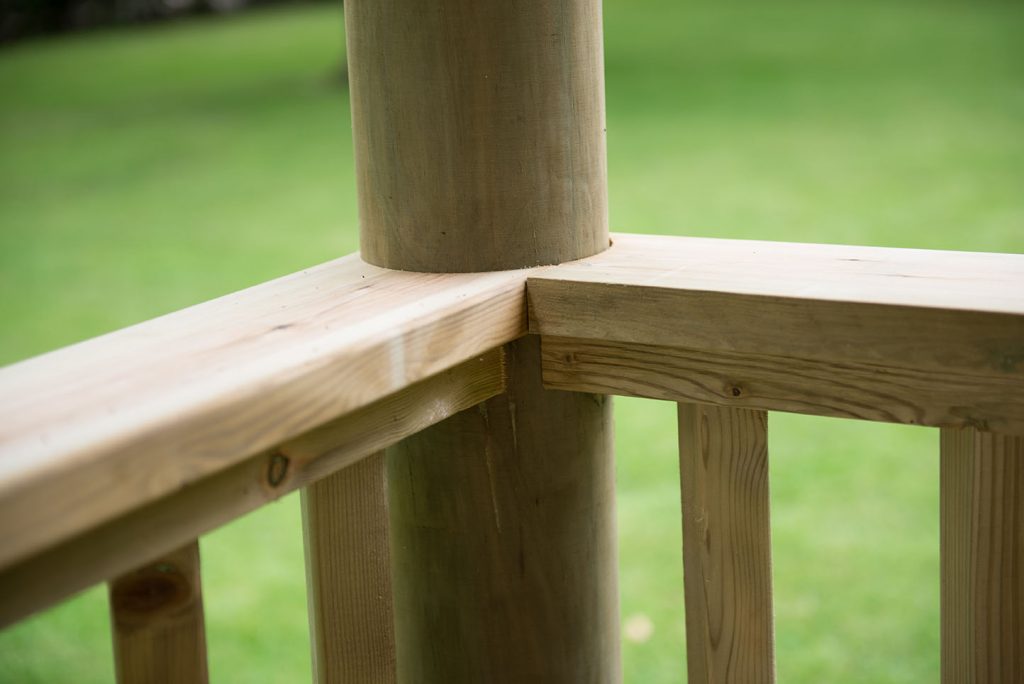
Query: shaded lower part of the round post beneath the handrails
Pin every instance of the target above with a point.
(503, 539)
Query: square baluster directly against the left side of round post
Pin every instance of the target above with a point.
(345, 519)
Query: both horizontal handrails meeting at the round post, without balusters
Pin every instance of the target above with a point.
(189, 421)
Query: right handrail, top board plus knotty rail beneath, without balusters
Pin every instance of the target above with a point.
(909, 336)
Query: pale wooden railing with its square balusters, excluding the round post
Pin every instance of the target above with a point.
(119, 452)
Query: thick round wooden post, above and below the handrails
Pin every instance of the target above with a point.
(480, 139)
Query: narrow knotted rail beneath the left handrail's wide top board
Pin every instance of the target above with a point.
(145, 534)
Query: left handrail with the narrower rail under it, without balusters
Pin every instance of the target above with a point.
(121, 448)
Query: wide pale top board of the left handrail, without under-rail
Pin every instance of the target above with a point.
(101, 429)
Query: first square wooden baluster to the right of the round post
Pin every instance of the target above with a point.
(723, 463)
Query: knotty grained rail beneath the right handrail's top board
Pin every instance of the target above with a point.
(861, 392)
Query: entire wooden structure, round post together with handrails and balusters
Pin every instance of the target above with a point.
(481, 545)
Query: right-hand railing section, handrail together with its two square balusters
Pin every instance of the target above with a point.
(733, 329)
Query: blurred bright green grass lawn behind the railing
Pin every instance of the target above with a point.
(146, 170)
